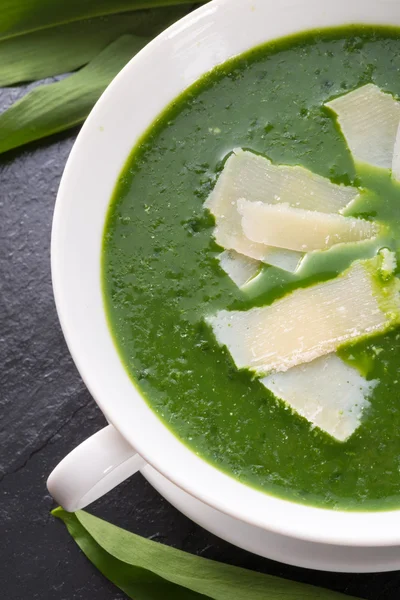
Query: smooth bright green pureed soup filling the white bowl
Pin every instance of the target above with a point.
(162, 277)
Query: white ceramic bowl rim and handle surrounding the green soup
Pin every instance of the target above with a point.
(159, 73)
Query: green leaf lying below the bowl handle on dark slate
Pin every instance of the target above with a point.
(127, 559)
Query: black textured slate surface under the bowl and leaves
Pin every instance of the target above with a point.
(45, 411)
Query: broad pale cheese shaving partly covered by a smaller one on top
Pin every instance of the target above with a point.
(248, 175)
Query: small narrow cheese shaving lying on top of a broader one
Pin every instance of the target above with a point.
(297, 229)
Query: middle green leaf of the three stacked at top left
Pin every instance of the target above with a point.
(64, 48)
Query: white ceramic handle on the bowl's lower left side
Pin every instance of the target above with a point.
(92, 469)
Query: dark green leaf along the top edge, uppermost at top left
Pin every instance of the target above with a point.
(24, 16)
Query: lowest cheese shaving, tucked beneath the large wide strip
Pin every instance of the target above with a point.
(327, 392)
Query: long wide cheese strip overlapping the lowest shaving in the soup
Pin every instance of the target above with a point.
(310, 322)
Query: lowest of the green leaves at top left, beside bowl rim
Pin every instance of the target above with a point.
(55, 107)
